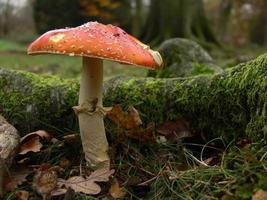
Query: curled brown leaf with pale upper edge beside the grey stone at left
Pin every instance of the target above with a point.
(31, 142)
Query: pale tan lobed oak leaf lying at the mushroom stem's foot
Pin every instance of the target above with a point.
(87, 185)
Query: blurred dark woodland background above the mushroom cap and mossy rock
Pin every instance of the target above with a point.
(220, 26)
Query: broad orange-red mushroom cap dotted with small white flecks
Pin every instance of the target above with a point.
(97, 40)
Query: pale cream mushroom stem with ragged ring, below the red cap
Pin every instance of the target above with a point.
(91, 122)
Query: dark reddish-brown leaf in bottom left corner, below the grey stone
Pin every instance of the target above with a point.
(16, 178)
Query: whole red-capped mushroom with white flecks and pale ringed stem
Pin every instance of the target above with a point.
(95, 42)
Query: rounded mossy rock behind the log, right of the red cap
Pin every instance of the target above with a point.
(182, 58)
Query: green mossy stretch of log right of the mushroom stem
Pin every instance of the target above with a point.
(229, 104)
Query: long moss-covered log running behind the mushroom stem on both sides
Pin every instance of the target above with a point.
(231, 104)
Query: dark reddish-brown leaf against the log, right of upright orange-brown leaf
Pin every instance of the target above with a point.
(175, 130)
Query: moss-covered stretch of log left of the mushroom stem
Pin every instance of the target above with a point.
(40, 101)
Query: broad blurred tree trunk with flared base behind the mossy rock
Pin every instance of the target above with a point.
(179, 18)
